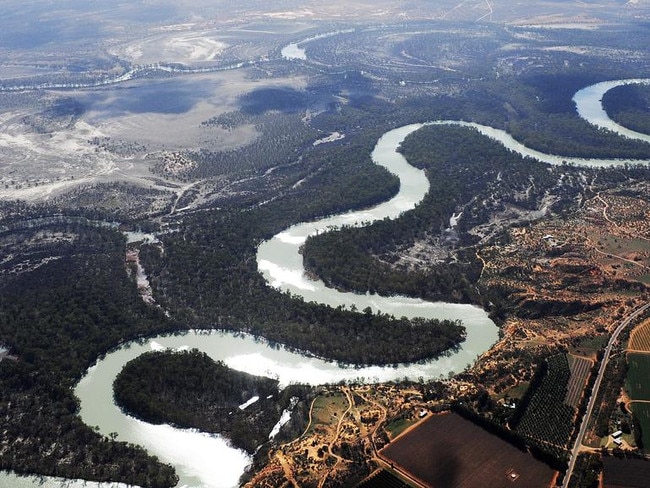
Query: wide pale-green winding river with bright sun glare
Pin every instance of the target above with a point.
(208, 461)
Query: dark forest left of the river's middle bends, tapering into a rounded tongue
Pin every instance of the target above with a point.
(208, 271)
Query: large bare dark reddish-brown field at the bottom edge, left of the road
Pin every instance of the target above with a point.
(447, 450)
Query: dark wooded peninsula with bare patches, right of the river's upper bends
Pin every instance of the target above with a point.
(466, 172)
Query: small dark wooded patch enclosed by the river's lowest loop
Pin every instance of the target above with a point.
(190, 390)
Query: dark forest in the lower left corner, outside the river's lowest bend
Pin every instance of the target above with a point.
(55, 316)
